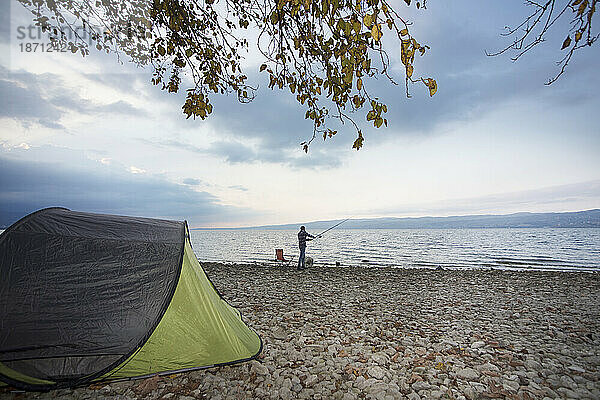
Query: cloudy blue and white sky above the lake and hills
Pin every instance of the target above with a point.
(93, 135)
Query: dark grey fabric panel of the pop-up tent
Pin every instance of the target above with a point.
(76, 320)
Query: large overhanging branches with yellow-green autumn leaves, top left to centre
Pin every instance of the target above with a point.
(326, 53)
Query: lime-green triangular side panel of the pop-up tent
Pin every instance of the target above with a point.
(206, 329)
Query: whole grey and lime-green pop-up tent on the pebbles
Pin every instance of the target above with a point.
(90, 297)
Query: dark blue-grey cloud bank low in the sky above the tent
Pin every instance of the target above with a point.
(28, 185)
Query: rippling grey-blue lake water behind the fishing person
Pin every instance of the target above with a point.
(522, 248)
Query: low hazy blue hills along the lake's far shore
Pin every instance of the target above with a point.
(579, 219)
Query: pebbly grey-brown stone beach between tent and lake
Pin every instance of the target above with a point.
(366, 333)
